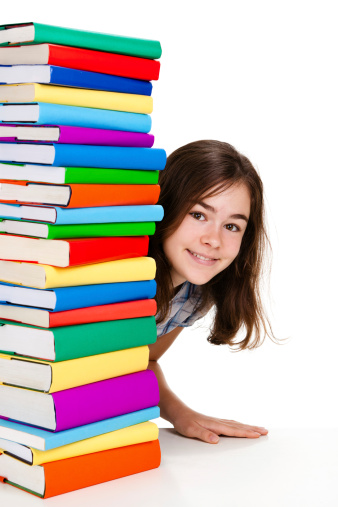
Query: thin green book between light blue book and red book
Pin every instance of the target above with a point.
(51, 231)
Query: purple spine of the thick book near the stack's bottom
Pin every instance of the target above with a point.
(87, 404)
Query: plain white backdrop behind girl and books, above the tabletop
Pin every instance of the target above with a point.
(262, 76)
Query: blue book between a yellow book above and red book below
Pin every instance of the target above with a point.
(79, 296)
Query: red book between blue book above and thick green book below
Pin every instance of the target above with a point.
(114, 311)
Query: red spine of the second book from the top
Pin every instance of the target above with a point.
(105, 63)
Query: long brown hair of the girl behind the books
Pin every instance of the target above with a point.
(201, 169)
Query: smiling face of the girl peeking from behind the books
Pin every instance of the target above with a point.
(210, 236)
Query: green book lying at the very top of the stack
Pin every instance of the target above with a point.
(37, 33)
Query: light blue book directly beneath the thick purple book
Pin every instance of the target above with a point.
(45, 440)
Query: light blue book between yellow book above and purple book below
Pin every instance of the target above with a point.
(42, 113)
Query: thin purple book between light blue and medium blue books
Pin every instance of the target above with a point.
(74, 135)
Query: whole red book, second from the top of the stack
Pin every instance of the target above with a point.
(82, 59)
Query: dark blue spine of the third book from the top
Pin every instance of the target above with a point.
(97, 81)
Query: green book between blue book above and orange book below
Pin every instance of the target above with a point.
(65, 175)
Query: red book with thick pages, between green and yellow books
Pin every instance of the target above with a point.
(72, 252)
